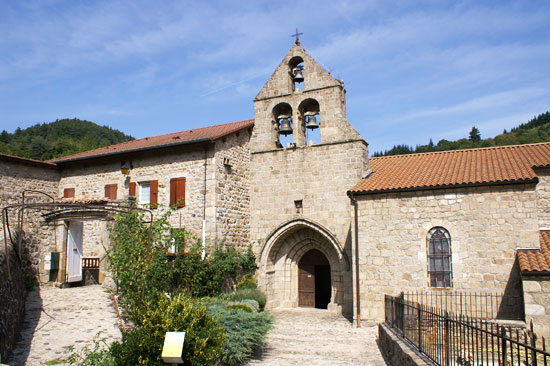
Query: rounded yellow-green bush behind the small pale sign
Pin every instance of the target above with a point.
(204, 337)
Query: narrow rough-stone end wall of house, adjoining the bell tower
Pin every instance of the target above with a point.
(233, 189)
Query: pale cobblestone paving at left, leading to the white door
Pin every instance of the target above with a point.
(58, 318)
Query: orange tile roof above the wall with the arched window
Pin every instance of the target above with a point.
(493, 165)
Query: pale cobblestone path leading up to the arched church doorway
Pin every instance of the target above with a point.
(312, 337)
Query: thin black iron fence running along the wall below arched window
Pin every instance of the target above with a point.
(472, 304)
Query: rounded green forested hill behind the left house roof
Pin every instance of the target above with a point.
(62, 137)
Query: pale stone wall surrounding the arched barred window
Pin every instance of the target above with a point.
(486, 225)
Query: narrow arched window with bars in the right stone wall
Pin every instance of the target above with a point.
(439, 257)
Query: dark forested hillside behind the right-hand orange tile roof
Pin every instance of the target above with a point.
(536, 130)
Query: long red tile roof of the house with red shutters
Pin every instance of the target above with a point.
(172, 139)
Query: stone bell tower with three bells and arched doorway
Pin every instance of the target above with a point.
(298, 188)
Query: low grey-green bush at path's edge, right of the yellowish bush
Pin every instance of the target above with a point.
(244, 331)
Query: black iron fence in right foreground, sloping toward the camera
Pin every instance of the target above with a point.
(449, 339)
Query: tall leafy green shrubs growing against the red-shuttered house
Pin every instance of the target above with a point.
(143, 269)
